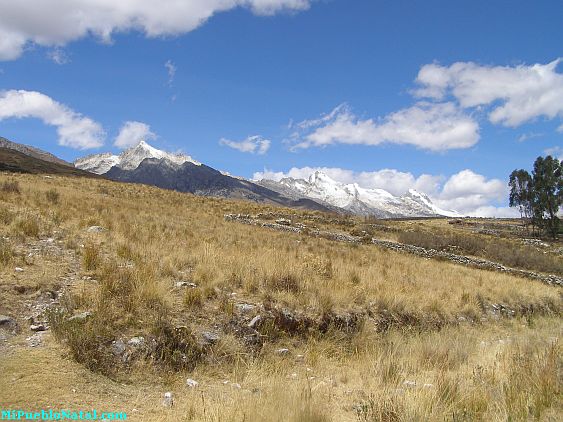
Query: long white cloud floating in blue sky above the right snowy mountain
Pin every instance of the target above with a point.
(436, 127)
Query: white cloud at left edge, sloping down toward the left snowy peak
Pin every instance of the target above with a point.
(74, 129)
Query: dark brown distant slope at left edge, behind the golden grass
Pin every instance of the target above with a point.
(18, 162)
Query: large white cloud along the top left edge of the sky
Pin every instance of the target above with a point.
(57, 22)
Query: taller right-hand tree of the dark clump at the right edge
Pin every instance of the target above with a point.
(547, 192)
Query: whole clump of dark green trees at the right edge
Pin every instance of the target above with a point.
(538, 196)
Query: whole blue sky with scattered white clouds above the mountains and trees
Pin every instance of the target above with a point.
(260, 68)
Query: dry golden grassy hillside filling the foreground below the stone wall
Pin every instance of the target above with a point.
(345, 332)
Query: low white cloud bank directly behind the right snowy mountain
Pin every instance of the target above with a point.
(466, 192)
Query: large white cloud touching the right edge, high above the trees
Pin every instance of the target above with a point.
(516, 94)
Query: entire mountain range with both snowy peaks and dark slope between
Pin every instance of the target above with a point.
(143, 163)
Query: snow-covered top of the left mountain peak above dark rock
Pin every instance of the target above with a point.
(129, 159)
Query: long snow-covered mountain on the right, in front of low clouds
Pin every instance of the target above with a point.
(355, 199)
